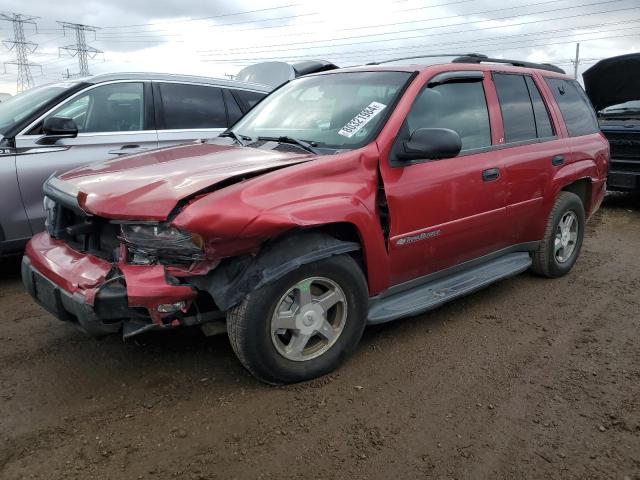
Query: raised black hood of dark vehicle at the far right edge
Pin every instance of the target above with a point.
(613, 80)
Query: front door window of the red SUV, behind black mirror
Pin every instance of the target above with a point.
(460, 106)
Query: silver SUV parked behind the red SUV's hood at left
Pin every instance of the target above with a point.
(60, 126)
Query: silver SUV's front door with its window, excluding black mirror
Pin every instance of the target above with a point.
(112, 120)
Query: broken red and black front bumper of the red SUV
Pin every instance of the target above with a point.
(98, 296)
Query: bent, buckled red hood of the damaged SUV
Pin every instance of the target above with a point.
(148, 186)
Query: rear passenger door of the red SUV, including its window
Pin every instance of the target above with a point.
(532, 150)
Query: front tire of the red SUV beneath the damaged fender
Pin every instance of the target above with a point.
(266, 351)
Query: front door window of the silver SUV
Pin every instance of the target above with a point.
(116, 107)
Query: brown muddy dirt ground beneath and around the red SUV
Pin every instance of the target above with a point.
(530, 378)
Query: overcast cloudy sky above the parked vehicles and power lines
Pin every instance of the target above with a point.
(220, 37)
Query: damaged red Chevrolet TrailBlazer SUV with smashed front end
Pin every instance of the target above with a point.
(346, 198)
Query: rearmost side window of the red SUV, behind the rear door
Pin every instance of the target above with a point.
(576, 110)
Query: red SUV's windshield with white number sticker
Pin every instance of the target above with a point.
(338, 110)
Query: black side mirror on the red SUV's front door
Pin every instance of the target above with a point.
(431, 143)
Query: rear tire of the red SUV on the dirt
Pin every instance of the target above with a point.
(547, 260)
